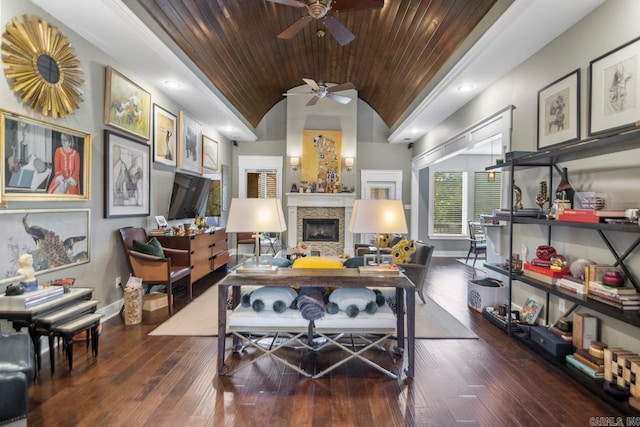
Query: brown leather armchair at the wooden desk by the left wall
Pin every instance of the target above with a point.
(153, 270)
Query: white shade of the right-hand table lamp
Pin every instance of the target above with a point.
(378, 216)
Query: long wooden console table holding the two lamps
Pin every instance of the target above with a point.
(348, 277)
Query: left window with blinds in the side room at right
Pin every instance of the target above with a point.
(449, 210)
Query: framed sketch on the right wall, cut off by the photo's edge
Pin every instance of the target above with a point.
(614, 103)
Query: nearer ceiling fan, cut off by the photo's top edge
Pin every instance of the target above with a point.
(318, 9)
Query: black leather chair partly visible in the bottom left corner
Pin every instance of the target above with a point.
(17, 372)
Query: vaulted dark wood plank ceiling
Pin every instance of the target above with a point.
(396, 52)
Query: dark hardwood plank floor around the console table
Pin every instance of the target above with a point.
(171, 381)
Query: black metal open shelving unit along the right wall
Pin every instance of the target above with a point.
(550, 159)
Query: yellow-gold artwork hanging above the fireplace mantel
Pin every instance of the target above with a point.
(321, 156)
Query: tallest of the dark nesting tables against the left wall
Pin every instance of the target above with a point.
(27, 317)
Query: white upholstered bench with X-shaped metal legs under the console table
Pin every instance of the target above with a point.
(269, 332)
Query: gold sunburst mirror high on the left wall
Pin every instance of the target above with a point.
(45, 71)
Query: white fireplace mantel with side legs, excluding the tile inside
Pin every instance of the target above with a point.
(319, 200)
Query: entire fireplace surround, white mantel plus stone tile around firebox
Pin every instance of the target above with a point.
(319, 205)
